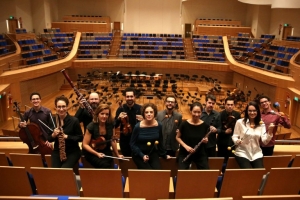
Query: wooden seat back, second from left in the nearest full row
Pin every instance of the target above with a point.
(55, 181)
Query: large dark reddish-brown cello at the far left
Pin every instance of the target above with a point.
(31, 135)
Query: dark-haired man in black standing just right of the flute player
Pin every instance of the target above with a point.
(212, 118)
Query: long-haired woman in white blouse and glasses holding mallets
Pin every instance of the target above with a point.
(248, 132)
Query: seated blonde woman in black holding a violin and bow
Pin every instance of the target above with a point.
(99, 137)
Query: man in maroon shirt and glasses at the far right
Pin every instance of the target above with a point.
(269, 116)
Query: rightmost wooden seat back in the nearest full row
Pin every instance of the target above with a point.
(282, 181)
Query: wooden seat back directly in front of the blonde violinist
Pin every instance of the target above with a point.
(101, 182)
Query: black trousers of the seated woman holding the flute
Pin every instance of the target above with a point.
(200, 161)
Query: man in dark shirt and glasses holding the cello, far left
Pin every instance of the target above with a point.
(35, 113)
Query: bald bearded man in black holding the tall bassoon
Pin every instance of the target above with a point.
(82, 113)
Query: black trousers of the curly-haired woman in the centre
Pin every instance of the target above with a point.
(153, 162)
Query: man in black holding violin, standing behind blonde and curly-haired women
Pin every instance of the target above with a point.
(127, 115)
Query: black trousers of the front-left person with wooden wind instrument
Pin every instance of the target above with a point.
(72, 159)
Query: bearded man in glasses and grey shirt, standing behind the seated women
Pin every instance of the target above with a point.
(171, 121)
